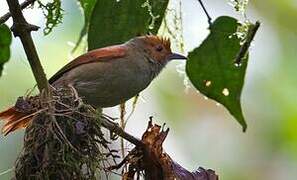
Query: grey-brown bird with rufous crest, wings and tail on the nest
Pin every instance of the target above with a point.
(107, 76)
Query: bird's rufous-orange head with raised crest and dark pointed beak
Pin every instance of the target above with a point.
(158, 49)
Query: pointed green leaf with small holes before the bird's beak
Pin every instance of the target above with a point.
(211, 67)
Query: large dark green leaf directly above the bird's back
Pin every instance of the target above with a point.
(116, 21)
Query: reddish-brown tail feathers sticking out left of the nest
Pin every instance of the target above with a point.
(14, 120)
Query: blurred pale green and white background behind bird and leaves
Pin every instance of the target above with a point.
(202, 133)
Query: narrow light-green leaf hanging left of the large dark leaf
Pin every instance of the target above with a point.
(87, 8)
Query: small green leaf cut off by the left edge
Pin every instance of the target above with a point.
(5, 41)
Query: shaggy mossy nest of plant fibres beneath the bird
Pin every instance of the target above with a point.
(65, 142)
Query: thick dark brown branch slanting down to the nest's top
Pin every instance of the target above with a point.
(22, 29)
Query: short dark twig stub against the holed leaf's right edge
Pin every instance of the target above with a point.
(244, 48)
